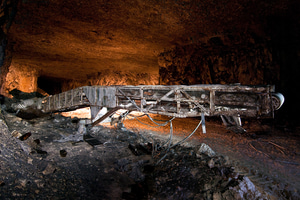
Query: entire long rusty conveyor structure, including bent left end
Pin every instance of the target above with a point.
(176, 100)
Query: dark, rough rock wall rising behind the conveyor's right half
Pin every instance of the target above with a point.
(218, 61)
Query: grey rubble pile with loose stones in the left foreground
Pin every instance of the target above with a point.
(55, 160)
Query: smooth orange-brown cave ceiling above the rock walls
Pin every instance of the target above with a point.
(72, 38)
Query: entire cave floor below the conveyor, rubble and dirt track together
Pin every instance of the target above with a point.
(57, 157)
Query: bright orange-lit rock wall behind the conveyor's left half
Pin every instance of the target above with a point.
(27, 79)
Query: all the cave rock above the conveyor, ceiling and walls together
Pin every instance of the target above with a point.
(72, 43)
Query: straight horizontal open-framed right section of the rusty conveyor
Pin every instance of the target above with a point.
(191, 101)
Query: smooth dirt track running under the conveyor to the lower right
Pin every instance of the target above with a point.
(268, 154)
